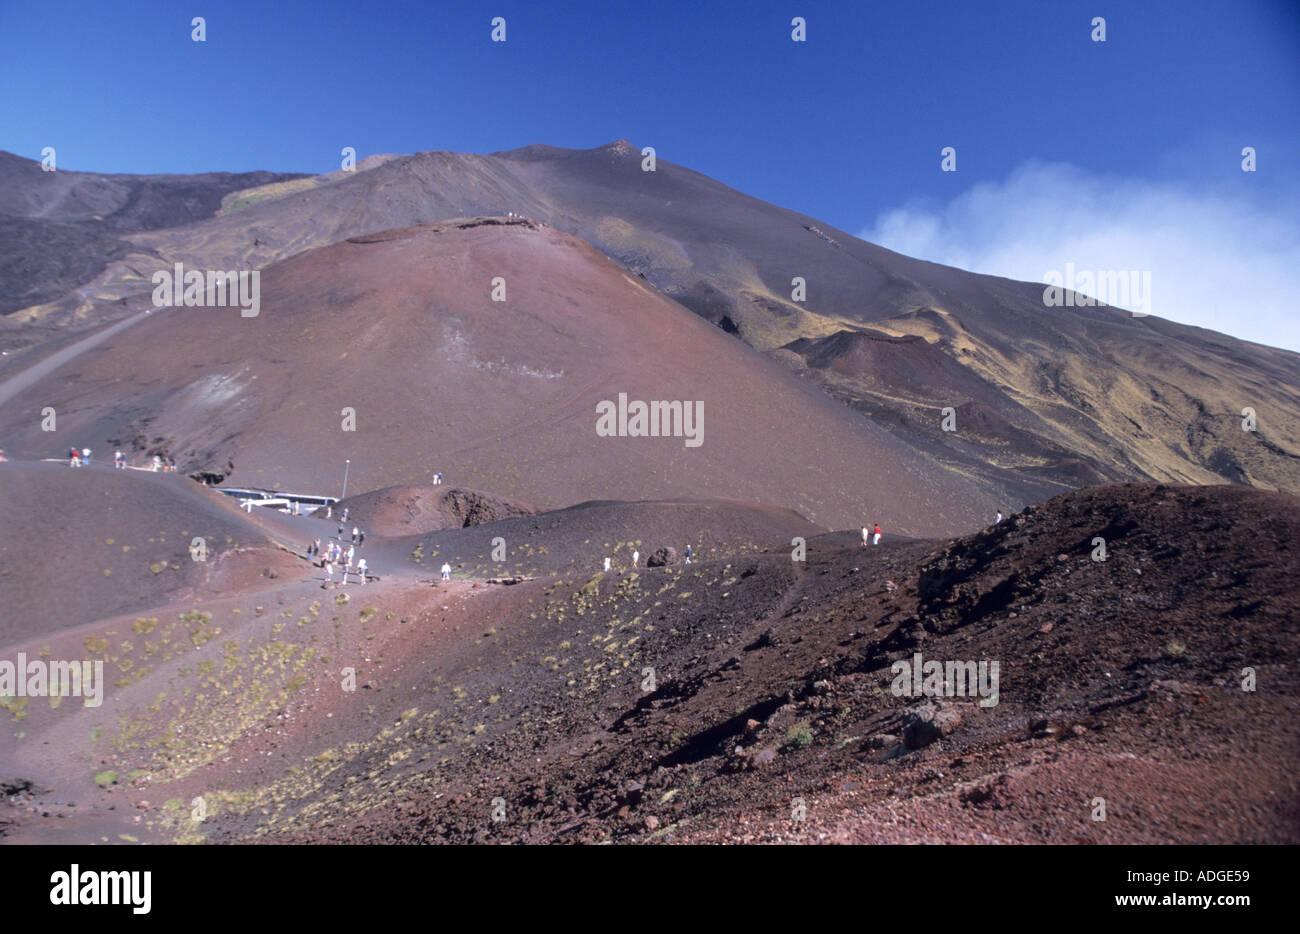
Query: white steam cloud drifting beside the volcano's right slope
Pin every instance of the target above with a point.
(1216, 262)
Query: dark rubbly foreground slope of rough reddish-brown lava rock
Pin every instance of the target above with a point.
(774, 687)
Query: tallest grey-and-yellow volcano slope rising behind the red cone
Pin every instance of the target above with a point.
(1073, 395)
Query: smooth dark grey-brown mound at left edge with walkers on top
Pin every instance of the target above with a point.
(90, 543)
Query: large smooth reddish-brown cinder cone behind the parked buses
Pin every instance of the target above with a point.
(397, 336)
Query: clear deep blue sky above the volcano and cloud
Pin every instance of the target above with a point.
(843, 127)
